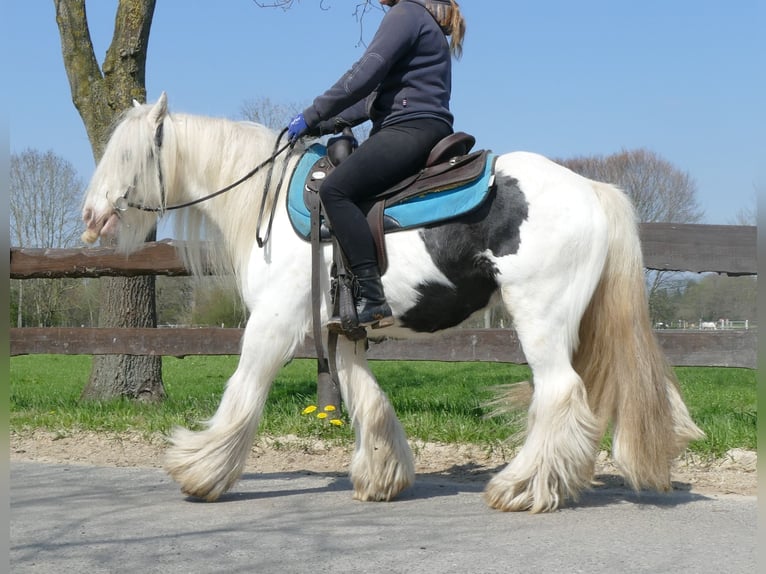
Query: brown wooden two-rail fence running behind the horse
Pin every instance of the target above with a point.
(697, 248)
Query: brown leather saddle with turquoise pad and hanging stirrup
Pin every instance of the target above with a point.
(421, 199)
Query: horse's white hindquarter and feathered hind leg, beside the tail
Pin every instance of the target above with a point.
(546, 287)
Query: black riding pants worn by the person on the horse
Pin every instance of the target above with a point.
(388, 156)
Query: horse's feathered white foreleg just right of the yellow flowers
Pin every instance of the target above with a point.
(382, 464)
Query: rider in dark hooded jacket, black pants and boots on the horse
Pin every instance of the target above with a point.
(402, 83)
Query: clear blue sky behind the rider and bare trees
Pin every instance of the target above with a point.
(684, 79)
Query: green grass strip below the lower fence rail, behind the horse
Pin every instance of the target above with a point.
(443, 402)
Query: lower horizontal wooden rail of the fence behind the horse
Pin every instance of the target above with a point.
(683, 348)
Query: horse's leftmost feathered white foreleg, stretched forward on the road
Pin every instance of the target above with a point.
(207, 463)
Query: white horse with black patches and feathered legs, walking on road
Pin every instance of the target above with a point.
(559, 251)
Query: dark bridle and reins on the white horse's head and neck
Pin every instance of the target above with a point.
(123, 203)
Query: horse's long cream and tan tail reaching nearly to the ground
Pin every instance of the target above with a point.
(627, 376)
